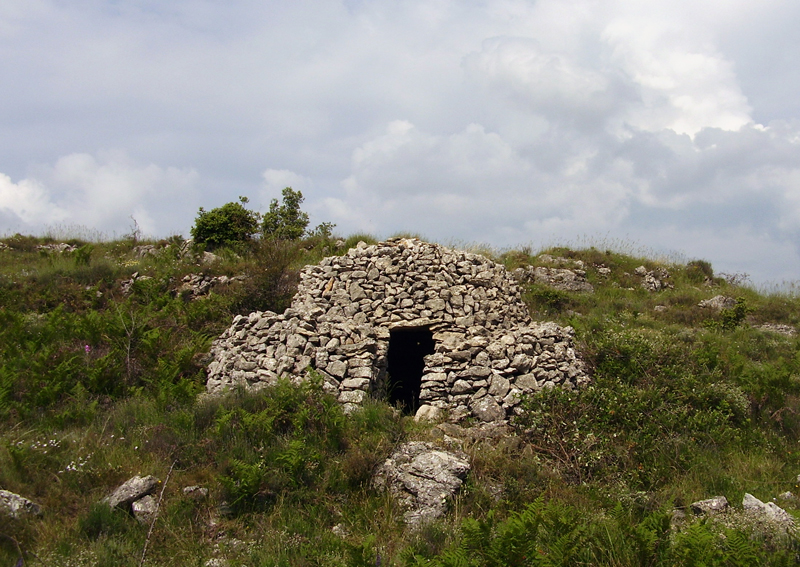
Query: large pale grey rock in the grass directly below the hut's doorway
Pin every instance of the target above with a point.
(422, 477)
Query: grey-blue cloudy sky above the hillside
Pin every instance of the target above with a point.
(668, 124)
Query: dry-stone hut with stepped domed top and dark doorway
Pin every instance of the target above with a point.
(440, 332)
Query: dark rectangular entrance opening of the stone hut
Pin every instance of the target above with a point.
(405, 365)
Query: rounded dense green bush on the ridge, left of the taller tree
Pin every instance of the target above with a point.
(228, 225)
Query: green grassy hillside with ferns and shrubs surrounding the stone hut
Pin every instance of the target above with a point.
(103, 355)
